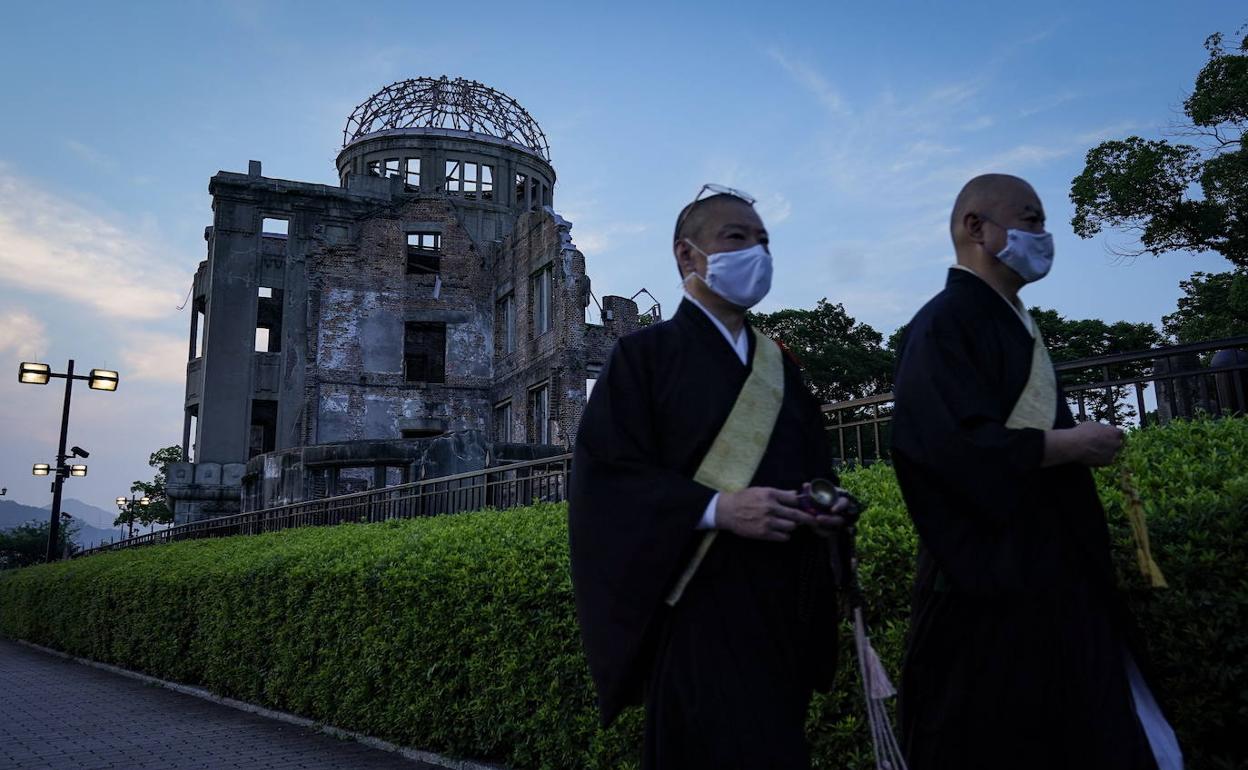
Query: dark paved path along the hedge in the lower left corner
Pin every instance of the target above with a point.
(59, 714)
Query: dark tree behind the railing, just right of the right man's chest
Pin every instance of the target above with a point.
(1071, 340)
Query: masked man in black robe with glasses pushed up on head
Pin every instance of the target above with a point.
(703, 586)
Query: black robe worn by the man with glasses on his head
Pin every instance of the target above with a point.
(727, 675)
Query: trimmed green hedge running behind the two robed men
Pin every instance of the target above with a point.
(457, 635)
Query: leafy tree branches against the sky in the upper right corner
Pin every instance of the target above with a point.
(1145, 187)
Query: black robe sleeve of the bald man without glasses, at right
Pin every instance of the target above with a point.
(952, 409)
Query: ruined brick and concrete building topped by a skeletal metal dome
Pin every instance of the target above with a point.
(425, 318)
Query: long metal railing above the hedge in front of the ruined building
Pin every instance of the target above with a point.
(501, 487)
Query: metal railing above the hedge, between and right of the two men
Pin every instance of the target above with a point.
(1094, 386)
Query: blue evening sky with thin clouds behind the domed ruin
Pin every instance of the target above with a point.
(854, 124)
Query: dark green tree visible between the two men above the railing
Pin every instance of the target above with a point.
(842, 358)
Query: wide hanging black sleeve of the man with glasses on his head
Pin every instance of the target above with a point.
(632, 524)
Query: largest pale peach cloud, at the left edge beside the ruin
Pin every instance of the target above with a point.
(57, 248)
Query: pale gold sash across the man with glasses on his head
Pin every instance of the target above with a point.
(737, 452)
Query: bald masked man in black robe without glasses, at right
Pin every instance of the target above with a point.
(1019, 652)
